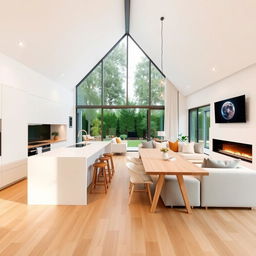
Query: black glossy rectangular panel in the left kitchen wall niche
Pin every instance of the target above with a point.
(39, 132)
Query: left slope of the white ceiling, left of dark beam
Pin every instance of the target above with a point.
(63, 39)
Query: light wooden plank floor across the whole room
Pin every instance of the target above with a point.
(108, 226)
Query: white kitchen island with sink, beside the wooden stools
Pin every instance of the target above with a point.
(61, 176)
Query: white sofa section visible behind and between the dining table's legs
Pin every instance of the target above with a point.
(171, 194)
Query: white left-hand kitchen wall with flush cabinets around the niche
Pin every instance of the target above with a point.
(28, 97)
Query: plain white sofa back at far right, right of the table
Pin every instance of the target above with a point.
(229, 187)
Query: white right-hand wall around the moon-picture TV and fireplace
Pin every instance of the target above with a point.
(243, 82)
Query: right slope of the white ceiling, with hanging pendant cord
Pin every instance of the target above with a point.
(198, 35)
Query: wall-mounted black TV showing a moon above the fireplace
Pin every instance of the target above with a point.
(230, 110)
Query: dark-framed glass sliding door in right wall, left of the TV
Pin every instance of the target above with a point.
(199, 125)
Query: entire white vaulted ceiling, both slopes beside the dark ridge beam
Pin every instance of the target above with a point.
(204, 41)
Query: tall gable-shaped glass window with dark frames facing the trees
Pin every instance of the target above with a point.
(122, 96)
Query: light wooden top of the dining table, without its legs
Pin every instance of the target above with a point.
(154, 163)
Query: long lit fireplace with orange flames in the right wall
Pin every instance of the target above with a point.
(234, 149)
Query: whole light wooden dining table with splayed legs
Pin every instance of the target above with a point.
(154, 164)
